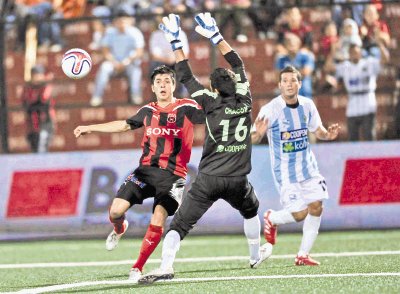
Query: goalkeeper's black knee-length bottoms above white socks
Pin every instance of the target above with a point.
(205, 190)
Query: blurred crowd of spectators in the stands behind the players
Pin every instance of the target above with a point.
(319, 56)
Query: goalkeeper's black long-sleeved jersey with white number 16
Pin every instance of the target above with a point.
(227, 146)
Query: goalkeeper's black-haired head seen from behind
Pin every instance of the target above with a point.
(223, 80)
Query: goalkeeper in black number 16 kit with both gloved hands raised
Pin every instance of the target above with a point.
(226, 158)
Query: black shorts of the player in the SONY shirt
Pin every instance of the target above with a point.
(146, 182)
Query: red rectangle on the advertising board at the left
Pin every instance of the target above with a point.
(44, 193)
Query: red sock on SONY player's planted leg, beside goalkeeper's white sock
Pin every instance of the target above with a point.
(149, 244)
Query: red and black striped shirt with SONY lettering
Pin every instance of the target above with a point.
(168, 135)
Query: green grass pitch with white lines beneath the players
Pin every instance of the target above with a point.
(351, 262)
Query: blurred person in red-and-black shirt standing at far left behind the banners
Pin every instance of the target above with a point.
(39, 107)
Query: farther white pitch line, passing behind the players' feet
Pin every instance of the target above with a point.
(182, 260)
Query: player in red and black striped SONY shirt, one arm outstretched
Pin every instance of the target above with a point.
(167, 143)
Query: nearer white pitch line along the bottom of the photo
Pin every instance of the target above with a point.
(127, 282)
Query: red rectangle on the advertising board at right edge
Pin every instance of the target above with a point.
(367, 181)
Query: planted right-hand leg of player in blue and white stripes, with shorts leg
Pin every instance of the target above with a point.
(315, 191)
